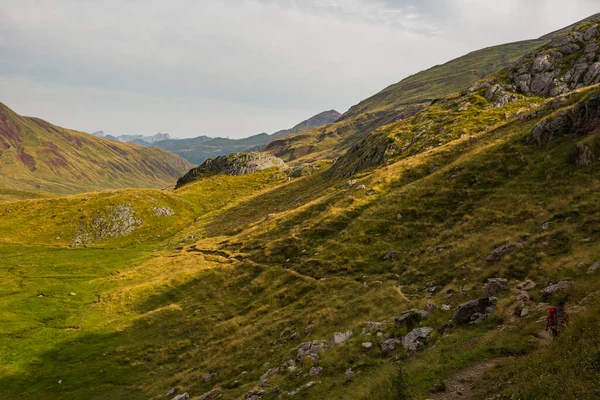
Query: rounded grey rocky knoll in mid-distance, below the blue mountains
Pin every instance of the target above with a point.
(233, 164)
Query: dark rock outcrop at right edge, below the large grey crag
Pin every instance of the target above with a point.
(580, 120)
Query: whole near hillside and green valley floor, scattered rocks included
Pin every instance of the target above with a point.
(420, 265)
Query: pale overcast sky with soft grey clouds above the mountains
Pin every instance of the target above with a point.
(235, 68)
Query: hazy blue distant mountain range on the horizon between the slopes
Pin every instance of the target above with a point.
(201, 148)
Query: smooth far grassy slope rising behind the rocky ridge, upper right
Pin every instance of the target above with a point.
(401, 100)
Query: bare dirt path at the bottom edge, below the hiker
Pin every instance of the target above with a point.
(460, 386)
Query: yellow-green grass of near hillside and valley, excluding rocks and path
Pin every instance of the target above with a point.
(225, 290)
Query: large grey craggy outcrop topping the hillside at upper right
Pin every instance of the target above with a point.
(567, 63)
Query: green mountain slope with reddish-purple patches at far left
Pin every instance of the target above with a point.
(36, 155)
